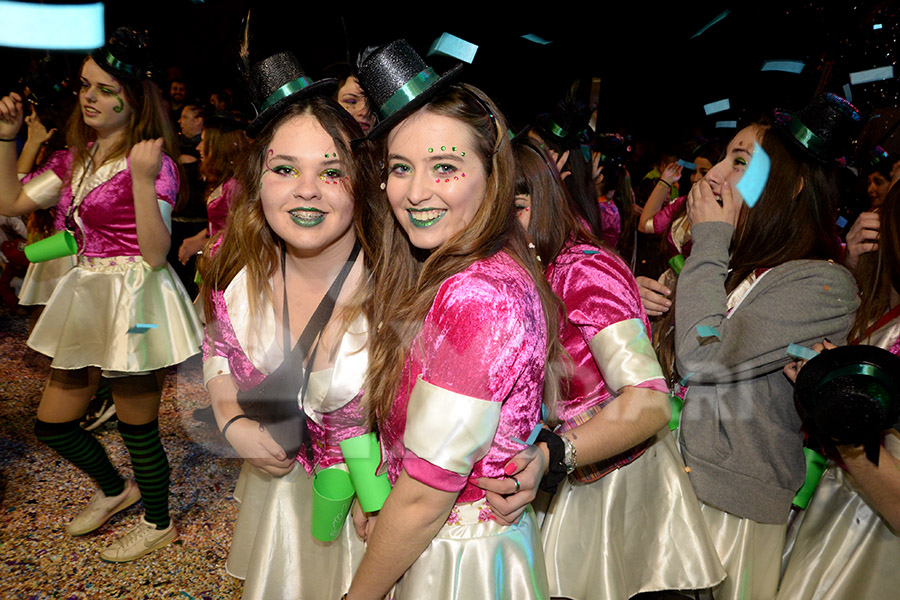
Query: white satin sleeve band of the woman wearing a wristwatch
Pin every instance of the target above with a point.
(625, 355)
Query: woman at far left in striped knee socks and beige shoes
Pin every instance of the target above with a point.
(120, 312)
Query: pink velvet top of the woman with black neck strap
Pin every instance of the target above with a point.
(343, 423)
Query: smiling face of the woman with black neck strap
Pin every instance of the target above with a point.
(305, 195)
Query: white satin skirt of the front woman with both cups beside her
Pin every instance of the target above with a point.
(472, 559)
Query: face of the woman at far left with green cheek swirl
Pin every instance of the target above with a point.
(102, 100)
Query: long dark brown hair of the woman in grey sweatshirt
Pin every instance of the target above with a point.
(792, 220)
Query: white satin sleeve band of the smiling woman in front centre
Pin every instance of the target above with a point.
(449, 430)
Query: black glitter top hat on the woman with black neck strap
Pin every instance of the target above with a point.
(277, 82)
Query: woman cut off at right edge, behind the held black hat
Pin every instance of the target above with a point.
(846, 545)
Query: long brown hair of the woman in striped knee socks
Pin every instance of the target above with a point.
(149, 120)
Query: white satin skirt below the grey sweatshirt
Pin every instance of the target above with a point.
(750, 553)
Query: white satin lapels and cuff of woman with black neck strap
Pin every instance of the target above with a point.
(257, 337)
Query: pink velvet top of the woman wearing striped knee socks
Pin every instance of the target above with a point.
(107, 212)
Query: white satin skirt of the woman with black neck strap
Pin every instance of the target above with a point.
(273, 550)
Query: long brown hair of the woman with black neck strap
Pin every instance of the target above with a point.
(249, 242)
